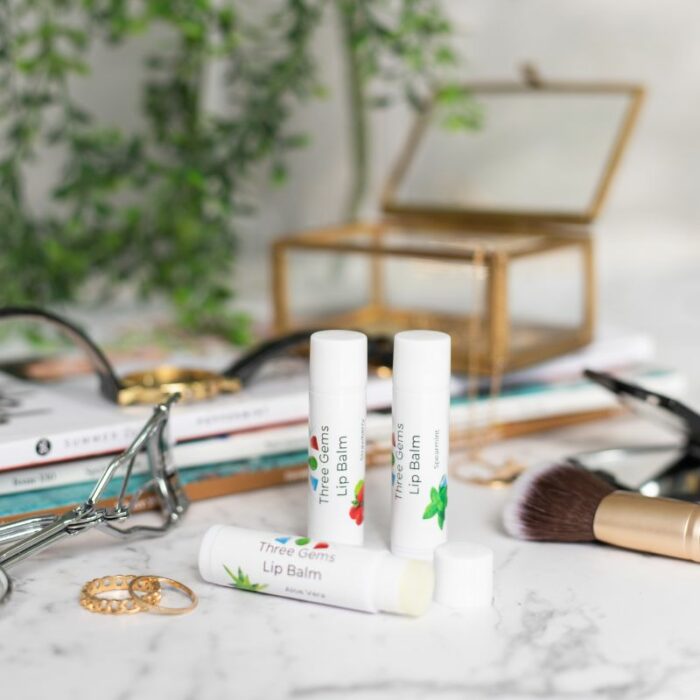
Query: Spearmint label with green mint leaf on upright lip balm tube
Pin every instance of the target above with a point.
(419, 474)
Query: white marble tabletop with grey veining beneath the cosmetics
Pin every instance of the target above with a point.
(569, 621)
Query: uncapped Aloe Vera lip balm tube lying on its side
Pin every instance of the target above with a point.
(319, 572)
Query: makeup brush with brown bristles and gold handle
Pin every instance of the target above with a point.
(566, 503)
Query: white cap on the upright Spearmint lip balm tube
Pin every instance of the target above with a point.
(422, 360)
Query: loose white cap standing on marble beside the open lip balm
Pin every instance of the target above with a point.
(463, 575)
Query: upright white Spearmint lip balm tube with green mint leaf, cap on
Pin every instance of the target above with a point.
(420, 437)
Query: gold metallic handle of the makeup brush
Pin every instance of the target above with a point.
(655, 525)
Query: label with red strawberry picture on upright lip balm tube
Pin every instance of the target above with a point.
(337, 467)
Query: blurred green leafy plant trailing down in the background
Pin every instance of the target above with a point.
(156, 209)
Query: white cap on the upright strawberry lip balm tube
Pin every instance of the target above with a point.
(338, 360)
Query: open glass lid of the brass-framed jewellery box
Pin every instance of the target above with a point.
(543, 152)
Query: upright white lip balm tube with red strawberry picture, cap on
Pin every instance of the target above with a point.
(337, 412)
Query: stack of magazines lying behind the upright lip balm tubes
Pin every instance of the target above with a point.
(56, 440)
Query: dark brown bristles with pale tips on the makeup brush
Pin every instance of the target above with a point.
(555, 503)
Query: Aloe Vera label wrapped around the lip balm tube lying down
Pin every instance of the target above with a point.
(294, 567)
